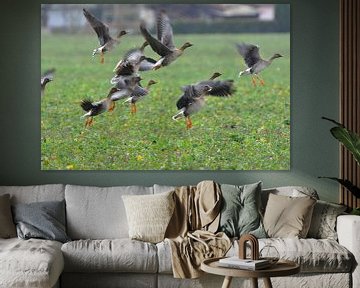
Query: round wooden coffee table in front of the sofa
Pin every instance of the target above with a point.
(281, 268)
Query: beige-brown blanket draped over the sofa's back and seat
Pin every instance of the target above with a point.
(191, 231)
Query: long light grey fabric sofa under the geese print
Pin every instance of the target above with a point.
(99, 252)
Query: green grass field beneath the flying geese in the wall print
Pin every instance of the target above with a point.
(248, 131)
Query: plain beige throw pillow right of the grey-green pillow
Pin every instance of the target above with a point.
(288, 216)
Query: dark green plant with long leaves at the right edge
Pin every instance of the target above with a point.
(351, 141)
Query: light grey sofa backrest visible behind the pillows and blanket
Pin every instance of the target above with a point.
(99, 212)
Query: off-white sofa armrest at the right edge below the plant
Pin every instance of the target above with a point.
(348, 230)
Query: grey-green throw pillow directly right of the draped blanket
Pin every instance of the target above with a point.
(240, 213)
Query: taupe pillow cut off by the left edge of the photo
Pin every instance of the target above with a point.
(7, 226)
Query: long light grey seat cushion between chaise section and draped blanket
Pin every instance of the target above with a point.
(116, 255)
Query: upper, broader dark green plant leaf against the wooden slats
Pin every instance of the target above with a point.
(349, 139)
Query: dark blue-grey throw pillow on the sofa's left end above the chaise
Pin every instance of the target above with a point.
(44, 220)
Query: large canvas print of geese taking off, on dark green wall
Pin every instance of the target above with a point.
(183, 87)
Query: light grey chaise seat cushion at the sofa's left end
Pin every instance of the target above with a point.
(30, 263)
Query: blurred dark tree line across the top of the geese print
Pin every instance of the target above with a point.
(185, 18)
